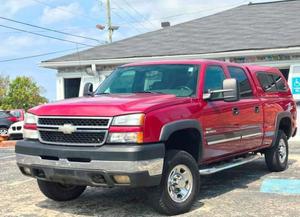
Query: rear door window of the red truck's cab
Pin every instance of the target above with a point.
(240, 75)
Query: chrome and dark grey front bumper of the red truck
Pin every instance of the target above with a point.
(93, 166)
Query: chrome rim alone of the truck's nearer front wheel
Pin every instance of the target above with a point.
(180, 183)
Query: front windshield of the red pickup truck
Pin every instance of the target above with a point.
(179, 80)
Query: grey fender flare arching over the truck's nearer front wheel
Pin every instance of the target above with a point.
(174, 126)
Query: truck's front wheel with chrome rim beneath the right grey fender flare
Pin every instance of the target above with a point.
(180, 183)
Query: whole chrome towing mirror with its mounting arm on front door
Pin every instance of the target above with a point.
(229, 93)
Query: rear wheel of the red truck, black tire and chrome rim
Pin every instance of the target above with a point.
(274, 156)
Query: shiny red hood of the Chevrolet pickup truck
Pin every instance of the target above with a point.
(108, 105)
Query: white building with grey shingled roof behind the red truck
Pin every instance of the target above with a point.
(263, 34)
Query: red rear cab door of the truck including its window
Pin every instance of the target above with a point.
(249, 110)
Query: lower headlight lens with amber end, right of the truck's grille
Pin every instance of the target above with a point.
(132, 137)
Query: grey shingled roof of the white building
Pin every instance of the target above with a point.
(247, 27)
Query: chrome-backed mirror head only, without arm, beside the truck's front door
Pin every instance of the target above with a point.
(233, 93)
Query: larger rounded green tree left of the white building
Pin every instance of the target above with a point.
(23, 93)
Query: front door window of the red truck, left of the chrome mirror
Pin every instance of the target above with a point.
(214, 77)
